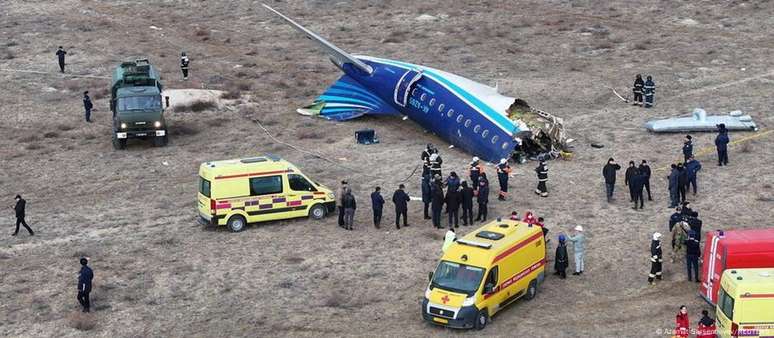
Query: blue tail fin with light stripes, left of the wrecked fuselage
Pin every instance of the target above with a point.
(346, 99)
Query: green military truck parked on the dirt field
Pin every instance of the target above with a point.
(135, 100)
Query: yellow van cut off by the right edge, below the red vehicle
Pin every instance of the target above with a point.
(746, 303)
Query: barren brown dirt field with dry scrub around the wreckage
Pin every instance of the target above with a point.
(160, 274)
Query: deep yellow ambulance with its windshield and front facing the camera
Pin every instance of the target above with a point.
(483, 272)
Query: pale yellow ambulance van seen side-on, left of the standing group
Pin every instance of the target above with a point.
(257, 189)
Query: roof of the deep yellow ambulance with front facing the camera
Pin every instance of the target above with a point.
(492, 242)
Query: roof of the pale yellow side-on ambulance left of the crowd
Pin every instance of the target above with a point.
(241, 167)
